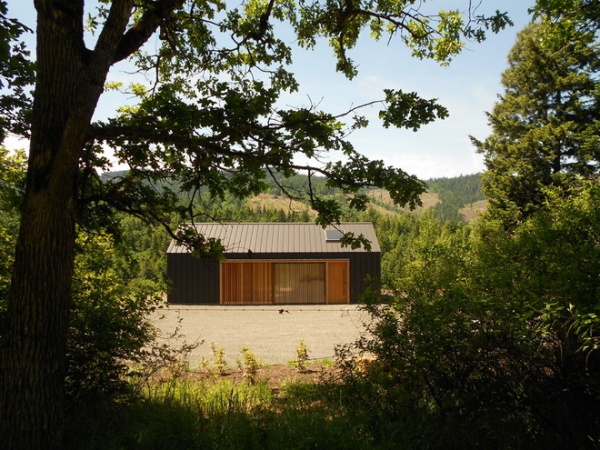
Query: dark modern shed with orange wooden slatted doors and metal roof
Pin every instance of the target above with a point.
(274, 263)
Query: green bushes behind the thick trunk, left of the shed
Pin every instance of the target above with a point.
(113, 295)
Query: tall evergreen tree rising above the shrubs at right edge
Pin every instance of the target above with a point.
(545, 126)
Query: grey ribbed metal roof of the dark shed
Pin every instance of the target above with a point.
(281, 237)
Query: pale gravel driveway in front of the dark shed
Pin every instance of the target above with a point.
(272, 333)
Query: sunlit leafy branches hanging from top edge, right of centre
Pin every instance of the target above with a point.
(435, 36)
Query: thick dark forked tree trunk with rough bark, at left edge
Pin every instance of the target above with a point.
(33, 359)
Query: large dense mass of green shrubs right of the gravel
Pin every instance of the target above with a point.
(491, 336)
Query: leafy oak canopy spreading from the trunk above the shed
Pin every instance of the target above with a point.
(210, 117)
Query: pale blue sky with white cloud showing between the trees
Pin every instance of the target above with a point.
(468, 88)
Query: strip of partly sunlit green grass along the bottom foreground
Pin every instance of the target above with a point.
(219, 413)
